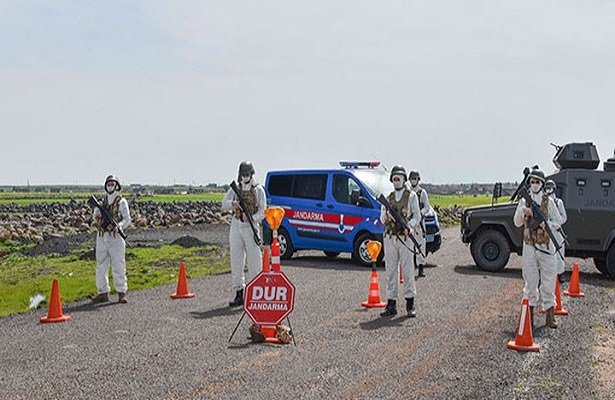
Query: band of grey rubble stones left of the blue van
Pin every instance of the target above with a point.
(41, 221)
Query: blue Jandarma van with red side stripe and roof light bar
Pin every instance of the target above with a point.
(335, 210)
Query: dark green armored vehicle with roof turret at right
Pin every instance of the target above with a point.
(589, 198)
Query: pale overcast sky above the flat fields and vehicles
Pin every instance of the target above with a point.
(180, 92)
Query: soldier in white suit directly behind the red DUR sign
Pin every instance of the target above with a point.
(241, 240)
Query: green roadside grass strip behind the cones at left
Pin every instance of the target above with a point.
(22, 277)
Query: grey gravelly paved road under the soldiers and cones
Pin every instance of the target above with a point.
(159, 348)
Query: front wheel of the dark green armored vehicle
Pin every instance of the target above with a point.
(490, 250)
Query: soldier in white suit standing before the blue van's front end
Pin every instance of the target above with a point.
(398, 247)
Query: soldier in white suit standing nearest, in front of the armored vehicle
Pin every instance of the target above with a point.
(539, 263)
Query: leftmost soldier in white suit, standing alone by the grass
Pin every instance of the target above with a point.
(110, 246)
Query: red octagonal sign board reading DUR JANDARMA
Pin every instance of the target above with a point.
(269, 298)
